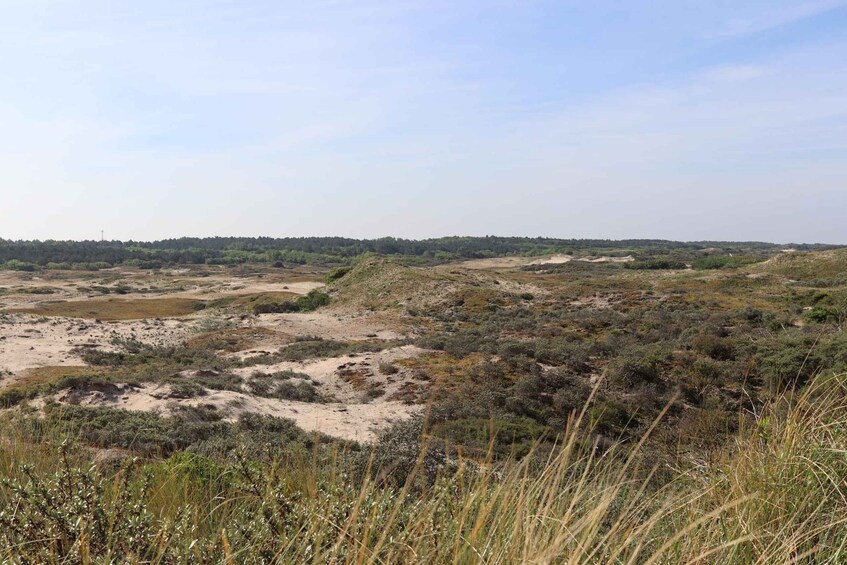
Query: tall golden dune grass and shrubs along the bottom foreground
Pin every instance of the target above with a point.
(776, 495)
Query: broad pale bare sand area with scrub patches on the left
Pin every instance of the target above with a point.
(160, 309)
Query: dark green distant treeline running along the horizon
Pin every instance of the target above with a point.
(29, 255)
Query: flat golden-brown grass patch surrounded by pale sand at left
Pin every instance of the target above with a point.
(113, 309)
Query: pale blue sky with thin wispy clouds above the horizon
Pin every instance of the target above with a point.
(674, 119)
